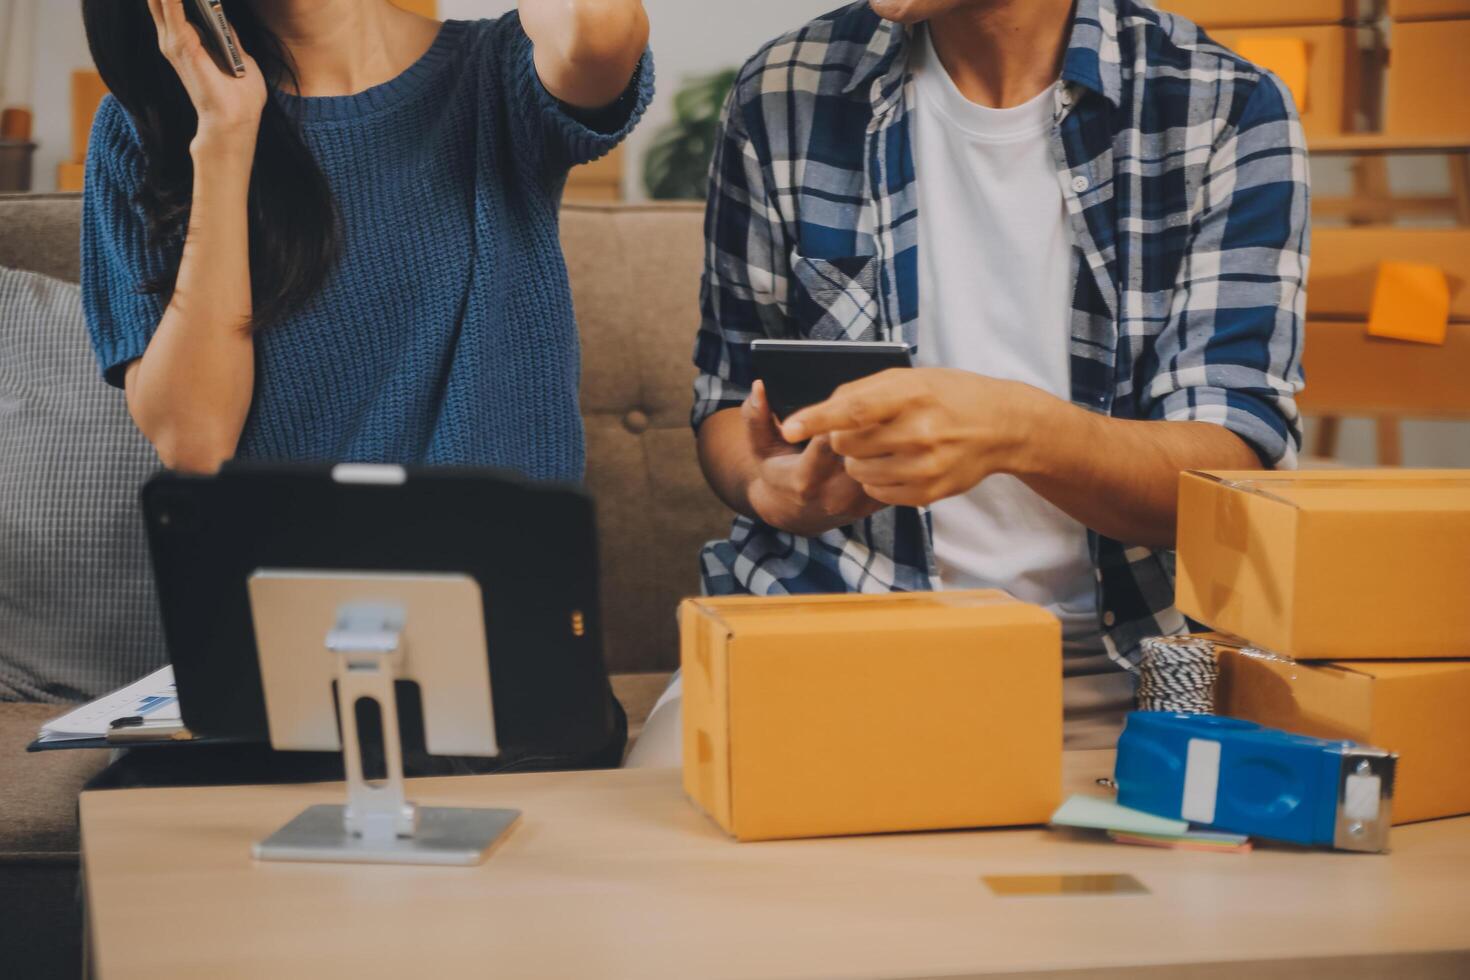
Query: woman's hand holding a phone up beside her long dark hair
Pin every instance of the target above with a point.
(229, 108)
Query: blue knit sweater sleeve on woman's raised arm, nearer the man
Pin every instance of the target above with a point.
(558, 136)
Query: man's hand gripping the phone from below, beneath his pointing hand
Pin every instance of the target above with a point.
(762, 475)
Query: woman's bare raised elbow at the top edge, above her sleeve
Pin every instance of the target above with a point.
(586, 51)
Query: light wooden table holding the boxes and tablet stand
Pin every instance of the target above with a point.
(615, 875)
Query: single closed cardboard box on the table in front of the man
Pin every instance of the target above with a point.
(843, 715)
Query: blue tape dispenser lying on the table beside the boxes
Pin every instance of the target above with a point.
(1243, 778)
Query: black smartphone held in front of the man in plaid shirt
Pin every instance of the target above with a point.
(800, 374)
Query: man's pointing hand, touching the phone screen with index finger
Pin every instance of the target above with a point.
(914, 437)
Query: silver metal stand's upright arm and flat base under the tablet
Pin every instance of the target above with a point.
(379, 826)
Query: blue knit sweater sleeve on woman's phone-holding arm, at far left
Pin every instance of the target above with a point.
(118, 259)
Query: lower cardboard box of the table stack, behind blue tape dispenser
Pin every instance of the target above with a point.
(1416, 709)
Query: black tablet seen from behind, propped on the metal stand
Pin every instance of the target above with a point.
(530, 547)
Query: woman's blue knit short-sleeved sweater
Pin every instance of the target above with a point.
(445, 334)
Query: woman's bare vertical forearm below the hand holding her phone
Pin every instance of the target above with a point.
(192, 390)
